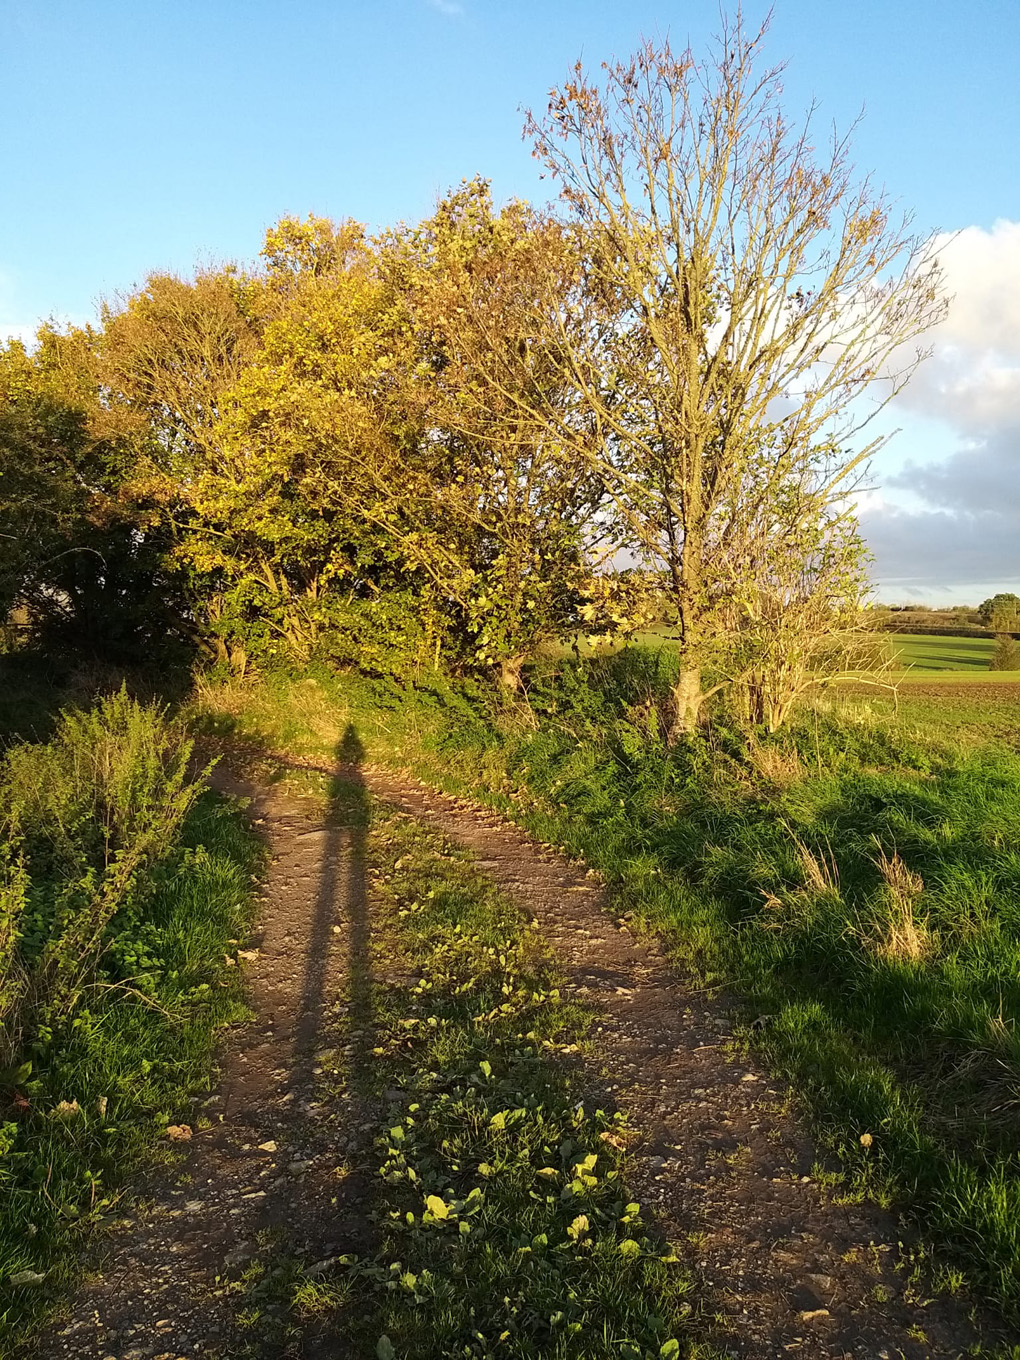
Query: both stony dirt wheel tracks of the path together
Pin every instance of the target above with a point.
(788, 1271)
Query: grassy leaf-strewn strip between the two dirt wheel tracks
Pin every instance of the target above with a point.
(501, 1199)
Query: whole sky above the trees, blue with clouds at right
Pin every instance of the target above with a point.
(150, 135)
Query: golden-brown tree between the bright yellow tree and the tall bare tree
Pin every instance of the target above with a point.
(497, 508)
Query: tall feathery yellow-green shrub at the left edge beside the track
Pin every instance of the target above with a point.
(88, 817)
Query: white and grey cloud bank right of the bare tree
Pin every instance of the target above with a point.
(958, 523)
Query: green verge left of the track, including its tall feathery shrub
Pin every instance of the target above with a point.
(114, 979)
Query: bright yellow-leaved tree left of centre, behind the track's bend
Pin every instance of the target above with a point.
(315, 426)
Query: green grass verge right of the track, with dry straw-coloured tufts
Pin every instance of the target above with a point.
(855, 881)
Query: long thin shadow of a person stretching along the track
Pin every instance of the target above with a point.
(318, 1211)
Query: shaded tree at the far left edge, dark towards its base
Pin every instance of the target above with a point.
(75, 553)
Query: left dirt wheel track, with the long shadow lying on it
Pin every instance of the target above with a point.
(262, 1177)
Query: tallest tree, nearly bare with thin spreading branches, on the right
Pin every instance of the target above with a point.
(765, 304)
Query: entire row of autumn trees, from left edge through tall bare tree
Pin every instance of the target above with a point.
(455, 443)
